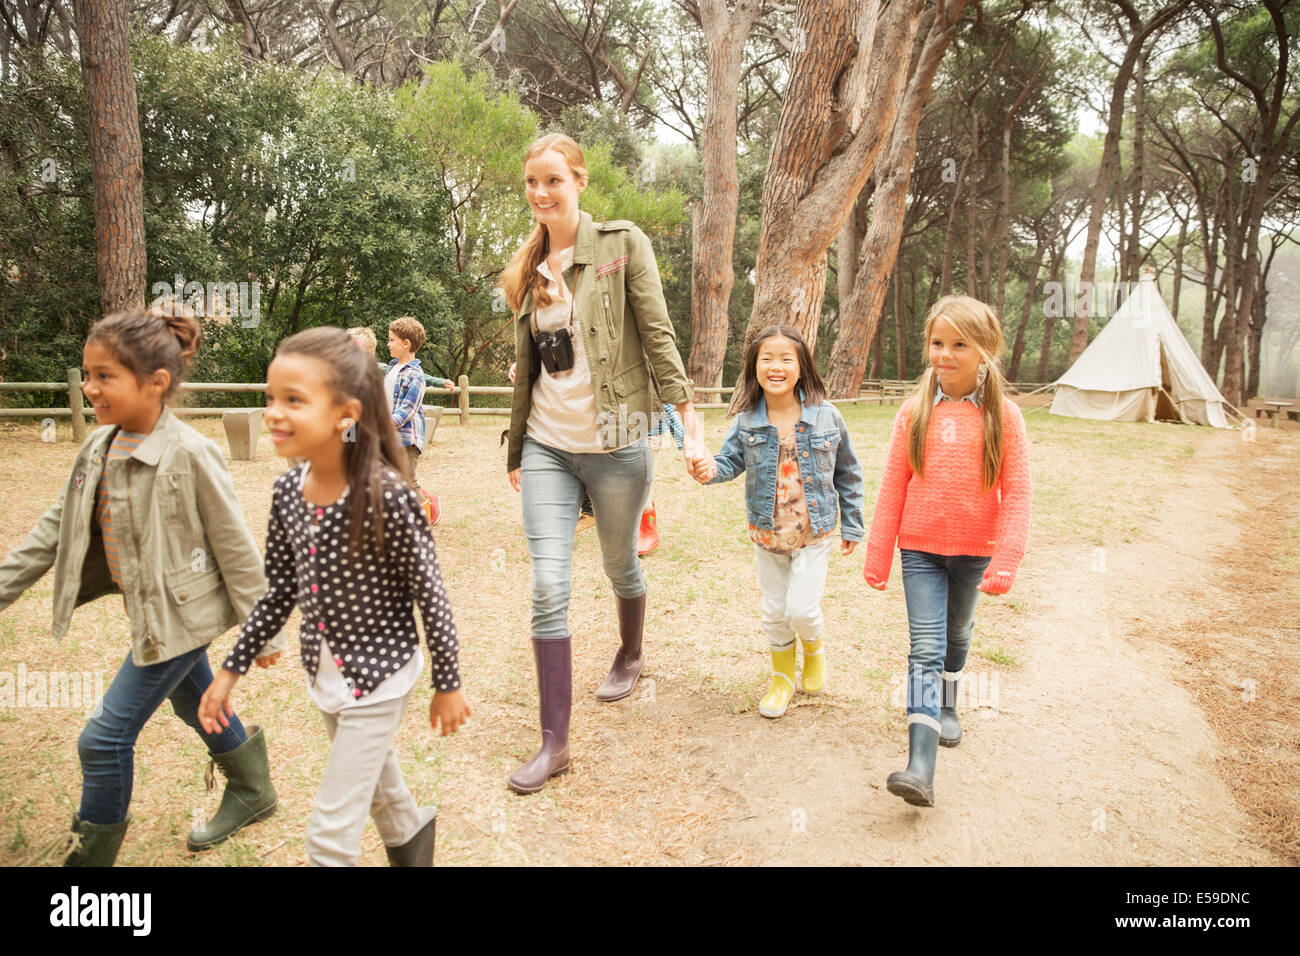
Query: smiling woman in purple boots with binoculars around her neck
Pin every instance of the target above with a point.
(596, 361)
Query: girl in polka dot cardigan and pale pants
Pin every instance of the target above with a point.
(349, 544)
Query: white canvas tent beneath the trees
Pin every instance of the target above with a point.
(1141, 369)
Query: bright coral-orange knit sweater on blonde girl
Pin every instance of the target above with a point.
(947, 512)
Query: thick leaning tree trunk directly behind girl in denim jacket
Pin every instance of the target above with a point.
(847, 81)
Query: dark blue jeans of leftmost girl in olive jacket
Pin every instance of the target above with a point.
(107, 747)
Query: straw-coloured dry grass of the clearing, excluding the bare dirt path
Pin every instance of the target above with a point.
(643, 789)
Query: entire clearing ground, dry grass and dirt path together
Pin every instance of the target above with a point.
(1130, 700)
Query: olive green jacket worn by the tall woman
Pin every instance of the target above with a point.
(630, 343)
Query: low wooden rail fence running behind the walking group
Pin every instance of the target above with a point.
(879, 392)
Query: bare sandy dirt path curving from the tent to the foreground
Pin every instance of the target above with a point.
(1097, 755)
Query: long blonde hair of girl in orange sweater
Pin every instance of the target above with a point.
(977, 326)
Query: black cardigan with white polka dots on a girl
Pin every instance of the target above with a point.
(362, 605)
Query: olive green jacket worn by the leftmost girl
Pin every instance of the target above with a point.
(190, 568)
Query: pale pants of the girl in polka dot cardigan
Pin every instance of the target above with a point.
(362, 778)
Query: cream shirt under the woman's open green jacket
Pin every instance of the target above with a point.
(564, 414)
